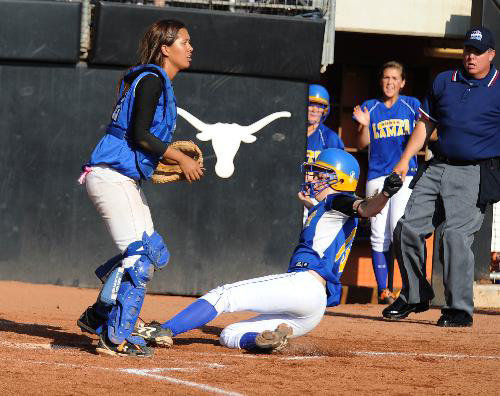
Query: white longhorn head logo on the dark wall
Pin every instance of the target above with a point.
(226, 138)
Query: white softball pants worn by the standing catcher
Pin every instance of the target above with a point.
(120, 201)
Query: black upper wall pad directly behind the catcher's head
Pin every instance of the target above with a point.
(251, 44)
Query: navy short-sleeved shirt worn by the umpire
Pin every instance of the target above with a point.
(467, 113)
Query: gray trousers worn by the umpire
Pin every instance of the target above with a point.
(444, 193)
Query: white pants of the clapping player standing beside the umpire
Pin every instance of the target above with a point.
(383, 224)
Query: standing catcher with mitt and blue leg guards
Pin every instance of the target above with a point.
(137, 140)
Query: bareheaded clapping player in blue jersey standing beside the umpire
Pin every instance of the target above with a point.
(385, 125)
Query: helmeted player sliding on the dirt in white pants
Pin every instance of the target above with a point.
(291, 304)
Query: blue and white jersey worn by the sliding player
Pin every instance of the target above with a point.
(326, 240)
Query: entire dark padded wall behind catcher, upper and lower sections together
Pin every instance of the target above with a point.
(52, 115)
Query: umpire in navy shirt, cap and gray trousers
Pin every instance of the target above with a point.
(464, 105)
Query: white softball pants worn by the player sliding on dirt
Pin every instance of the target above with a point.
(297, 299)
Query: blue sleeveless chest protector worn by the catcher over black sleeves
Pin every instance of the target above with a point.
(115, 149)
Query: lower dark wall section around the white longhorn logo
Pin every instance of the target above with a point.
(218, 230)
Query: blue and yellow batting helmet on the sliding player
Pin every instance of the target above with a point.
(342, 169)
